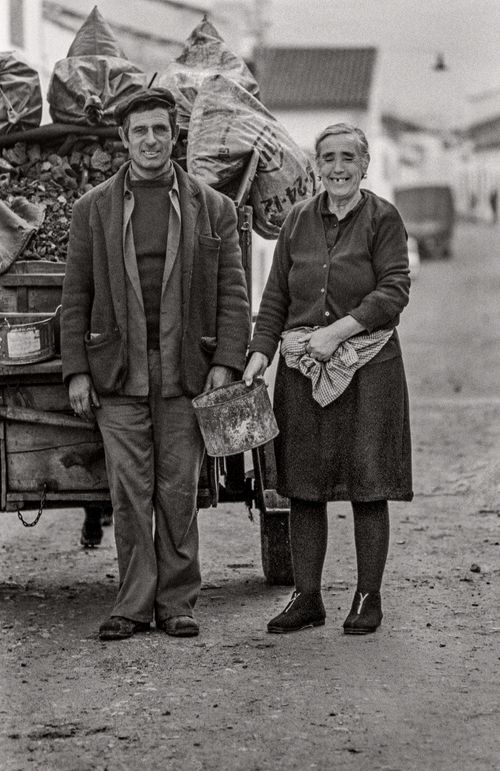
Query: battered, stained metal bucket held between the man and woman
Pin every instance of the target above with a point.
(235, 418)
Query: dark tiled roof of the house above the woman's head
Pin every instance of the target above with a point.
(315, 77)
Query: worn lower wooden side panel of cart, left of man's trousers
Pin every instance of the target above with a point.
(61, 452)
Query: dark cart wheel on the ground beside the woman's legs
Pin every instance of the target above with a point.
(275, 548)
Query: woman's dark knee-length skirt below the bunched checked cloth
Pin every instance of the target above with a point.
(358, 448)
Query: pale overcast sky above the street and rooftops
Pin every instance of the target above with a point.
(409, 34)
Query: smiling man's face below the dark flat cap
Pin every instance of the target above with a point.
(149, 142)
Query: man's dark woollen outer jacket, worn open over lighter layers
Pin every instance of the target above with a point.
(214, 317)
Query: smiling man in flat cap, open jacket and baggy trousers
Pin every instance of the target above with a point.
(155, 311)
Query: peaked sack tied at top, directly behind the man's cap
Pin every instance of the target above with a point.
(86, 86)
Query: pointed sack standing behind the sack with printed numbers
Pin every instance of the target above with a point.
(205, 53)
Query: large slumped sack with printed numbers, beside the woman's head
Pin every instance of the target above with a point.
(226, 124)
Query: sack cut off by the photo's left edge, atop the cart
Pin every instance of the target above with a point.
(20, 95)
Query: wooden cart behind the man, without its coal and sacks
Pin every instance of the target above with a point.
(51, 459)
